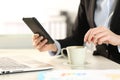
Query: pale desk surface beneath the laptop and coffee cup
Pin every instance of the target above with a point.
(92, 63)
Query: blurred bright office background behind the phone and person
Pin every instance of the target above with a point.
(57, 17)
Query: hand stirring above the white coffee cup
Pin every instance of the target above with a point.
(102, 35)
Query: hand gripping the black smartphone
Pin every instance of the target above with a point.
(40, 43)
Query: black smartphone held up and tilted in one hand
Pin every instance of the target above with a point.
(36, 27)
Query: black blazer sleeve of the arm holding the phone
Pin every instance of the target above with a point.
(79, 29)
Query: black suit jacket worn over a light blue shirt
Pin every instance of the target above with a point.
(85, 21)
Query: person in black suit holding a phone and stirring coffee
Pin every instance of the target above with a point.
(97, 21)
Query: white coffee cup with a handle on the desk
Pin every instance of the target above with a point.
(76, 55)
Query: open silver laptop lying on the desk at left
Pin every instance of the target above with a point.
(10, 65)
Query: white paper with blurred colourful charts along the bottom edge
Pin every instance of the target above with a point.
(80, 75)
